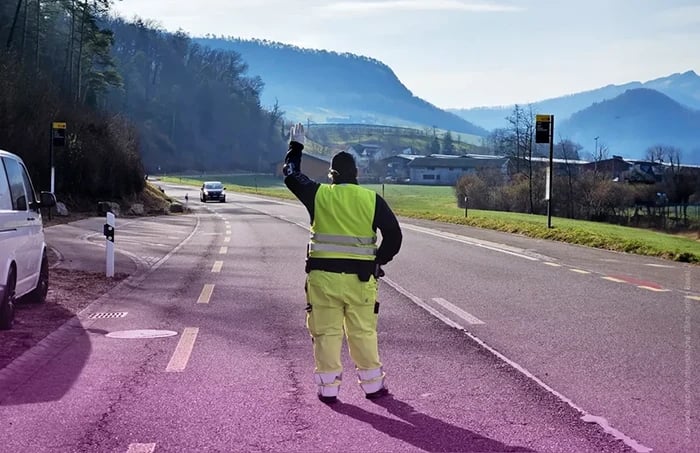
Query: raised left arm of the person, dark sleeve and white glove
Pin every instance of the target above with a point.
(298, 183)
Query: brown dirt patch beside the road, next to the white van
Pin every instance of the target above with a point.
(70, 291)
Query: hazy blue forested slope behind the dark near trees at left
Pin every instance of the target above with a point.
(197, 108)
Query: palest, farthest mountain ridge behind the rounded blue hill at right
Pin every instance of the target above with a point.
(684, 88)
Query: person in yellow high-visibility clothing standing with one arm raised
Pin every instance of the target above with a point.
(343, 266)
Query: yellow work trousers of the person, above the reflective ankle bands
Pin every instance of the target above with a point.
(337, 304)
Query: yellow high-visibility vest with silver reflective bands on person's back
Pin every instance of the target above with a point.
(342, 225)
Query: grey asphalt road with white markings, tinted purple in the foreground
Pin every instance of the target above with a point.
(491, 342)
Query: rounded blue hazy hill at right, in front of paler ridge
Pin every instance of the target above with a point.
(634, 121)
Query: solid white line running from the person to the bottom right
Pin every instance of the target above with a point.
(585, 416)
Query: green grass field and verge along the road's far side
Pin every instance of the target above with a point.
(439, 204)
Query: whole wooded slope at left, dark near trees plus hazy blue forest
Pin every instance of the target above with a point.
(135, 98)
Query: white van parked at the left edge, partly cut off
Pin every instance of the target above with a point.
(24, 267)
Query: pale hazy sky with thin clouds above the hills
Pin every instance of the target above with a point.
(466, 53)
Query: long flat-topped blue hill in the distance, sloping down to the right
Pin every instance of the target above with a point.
(332, 87)
